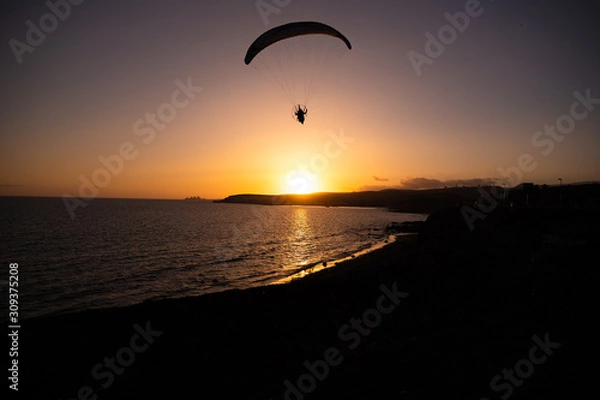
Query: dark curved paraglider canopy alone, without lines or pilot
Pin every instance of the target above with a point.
(288, 31)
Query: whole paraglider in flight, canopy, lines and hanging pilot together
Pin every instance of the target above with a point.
(278, 62)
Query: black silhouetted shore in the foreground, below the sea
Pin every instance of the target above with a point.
(509, 310)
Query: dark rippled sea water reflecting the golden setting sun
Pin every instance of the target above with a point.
(122, 252)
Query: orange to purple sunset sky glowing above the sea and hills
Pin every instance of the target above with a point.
(79, 97)
